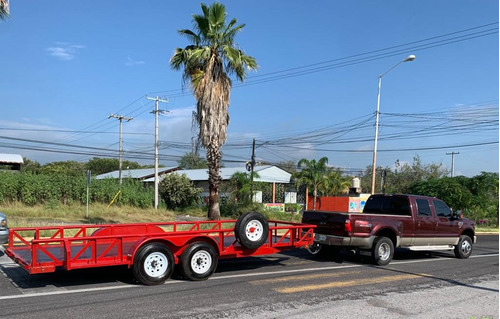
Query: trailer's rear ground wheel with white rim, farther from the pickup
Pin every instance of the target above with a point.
(153, 264)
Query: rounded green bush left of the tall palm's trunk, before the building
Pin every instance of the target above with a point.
(178, 191)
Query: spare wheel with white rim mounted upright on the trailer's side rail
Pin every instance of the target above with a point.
(251, 230)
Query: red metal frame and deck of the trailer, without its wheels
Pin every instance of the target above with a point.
(44, 249)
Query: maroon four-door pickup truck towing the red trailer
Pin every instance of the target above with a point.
(389, 221)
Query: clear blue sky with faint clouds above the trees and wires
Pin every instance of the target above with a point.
(67, 65)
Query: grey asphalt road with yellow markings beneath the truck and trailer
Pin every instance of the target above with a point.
(288, 285)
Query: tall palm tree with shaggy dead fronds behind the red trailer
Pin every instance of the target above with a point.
(208, 61)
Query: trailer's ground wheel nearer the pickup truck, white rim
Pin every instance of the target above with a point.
(199, 261)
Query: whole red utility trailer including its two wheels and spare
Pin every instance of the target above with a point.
(153, 249)
